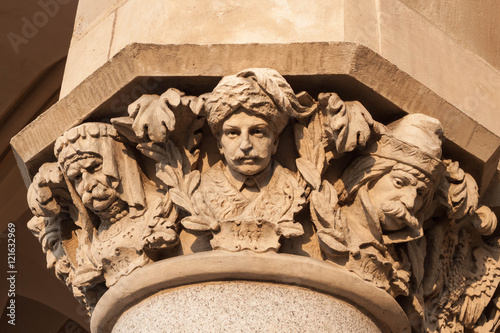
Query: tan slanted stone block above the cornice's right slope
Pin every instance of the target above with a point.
(431, 57)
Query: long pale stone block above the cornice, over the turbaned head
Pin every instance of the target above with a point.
(225, 22)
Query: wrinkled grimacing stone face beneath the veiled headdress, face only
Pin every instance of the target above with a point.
(91, 184)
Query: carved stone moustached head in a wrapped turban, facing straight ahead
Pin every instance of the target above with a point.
(247, 112)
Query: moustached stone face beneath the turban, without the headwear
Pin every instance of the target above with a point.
(247, 142)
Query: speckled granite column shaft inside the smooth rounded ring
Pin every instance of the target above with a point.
(239, 307)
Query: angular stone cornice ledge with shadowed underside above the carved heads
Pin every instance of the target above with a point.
(353, 70)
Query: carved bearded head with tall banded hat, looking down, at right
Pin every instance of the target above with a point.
(399, 171)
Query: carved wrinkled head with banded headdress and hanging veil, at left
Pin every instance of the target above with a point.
(93, 160)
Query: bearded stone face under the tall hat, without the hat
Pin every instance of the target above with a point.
(397, 196)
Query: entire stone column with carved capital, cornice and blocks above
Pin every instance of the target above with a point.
(268, 167)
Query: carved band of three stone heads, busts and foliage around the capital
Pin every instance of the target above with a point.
(383, 201)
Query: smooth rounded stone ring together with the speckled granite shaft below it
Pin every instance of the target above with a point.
(239, 290)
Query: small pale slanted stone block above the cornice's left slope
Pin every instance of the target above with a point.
(87, 55)
